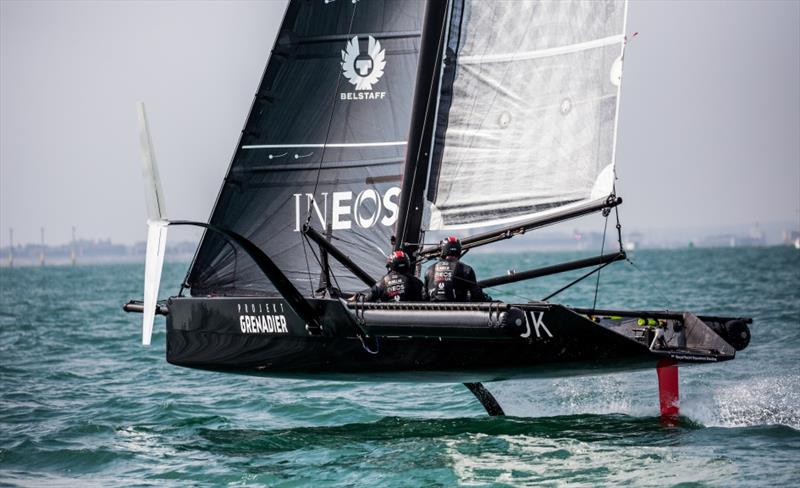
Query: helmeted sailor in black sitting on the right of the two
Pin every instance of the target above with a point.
(450, 280)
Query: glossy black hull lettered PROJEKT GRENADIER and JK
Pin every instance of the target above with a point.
(417, 342)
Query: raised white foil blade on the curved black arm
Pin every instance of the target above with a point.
(156, 226)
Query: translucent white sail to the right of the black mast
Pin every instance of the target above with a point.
(528, 110)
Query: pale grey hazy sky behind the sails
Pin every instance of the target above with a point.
(709, 128)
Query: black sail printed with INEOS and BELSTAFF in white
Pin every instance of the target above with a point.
(325, 139)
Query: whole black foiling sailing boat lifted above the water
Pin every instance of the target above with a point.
(377, 122)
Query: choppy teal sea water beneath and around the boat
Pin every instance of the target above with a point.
(83, 403)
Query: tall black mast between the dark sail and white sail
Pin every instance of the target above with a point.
(420, 136)
